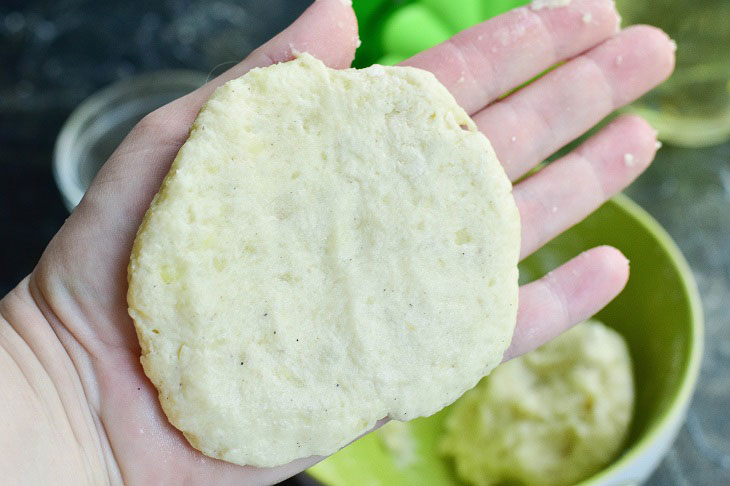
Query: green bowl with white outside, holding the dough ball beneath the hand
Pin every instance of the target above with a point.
(659, 315)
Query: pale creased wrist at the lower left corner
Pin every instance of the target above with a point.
(52, 435)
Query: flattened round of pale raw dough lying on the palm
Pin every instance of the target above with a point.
(328, 248)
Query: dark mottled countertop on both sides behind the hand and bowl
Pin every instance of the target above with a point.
(56, 53)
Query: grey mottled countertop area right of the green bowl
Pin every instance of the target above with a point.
(688, 192)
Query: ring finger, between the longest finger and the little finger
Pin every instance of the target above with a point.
(569, 189)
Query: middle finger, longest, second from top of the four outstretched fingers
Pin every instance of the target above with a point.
(533, 123)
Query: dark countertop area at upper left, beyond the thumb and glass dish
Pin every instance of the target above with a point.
(55, 53)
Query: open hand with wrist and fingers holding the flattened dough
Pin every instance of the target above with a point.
(77, 406)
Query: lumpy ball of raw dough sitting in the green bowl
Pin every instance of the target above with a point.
(551, 417)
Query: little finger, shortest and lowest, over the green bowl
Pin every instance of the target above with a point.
(566, 296)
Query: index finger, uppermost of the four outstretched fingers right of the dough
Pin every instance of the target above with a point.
(484, 62)
